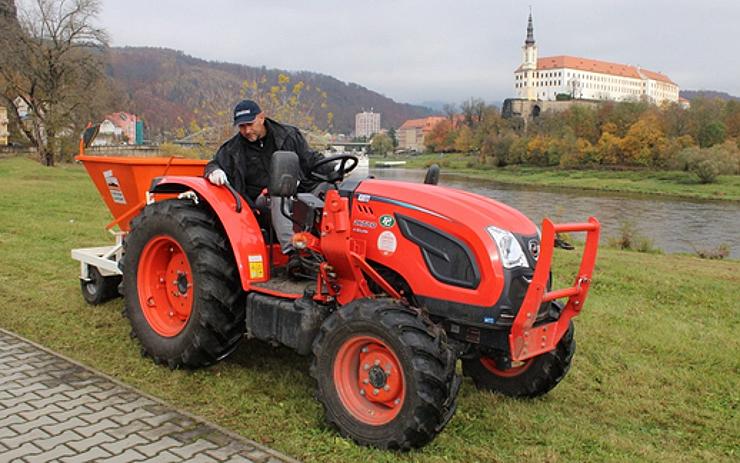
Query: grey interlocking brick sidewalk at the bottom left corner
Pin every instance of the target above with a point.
(52, 409)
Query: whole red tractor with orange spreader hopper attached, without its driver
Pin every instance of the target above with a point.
(400, 281)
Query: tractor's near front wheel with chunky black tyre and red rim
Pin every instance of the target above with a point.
(385, 374)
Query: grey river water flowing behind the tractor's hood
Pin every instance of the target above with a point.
(673, 225)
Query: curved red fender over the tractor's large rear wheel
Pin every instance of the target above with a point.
(242, 229)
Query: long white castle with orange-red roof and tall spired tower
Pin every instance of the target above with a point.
(545, 78)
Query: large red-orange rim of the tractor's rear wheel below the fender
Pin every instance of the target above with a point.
(165, 283)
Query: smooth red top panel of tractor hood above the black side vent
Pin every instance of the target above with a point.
(473, 210)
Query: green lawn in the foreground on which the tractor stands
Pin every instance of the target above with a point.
(655, 377)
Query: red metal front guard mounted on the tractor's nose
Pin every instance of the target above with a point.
(527, 341)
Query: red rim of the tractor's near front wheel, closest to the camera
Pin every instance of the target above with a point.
(369, 380)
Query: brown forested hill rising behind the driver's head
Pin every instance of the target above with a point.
(171, 90)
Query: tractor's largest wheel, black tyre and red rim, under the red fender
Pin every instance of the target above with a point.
(182, 290)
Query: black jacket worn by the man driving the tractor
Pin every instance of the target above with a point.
(248, 170)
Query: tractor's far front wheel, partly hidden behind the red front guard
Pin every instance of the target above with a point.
(531, 378)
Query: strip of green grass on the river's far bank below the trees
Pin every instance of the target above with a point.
(669, 183)
